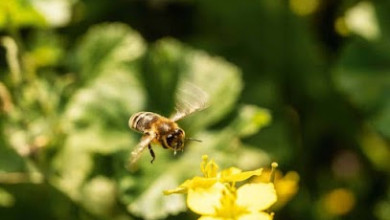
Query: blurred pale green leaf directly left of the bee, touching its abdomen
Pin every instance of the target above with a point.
(108, 101)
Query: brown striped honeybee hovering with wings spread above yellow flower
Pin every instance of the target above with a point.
(165, 131)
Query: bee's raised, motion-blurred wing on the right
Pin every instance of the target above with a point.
(189, 100)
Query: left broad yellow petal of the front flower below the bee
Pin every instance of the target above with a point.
(205, 201)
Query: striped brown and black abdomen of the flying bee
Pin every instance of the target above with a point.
(143, 121)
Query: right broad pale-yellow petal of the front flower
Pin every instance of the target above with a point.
(256, 196)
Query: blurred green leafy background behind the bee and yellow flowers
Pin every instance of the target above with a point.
(305, 83)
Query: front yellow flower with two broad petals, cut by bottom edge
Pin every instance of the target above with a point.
(248, 202)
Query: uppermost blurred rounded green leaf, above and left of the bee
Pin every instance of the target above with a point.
(106, 47)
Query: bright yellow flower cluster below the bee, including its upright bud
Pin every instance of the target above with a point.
(215, 197)
